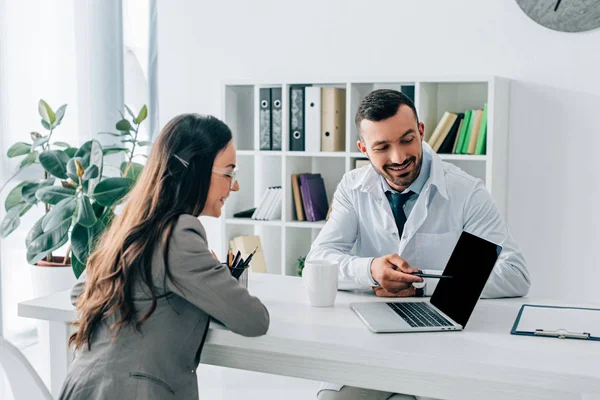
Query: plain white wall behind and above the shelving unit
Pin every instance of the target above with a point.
(555, 99)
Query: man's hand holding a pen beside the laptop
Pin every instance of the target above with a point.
(393, 273)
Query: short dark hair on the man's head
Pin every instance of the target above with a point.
(382, 104)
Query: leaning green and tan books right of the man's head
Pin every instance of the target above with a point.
(461, 133)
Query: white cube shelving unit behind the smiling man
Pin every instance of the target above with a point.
(285, 240)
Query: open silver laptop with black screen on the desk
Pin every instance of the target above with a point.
(453, 299)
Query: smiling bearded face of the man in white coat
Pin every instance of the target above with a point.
(394, 147)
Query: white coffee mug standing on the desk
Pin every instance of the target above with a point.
(320, 278)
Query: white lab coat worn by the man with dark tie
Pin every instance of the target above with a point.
(451, 201)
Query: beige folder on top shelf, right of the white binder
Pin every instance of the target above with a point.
(333, 119)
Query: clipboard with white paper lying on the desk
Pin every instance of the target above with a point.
(558, 322)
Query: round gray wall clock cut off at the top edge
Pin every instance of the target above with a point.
(563, 15)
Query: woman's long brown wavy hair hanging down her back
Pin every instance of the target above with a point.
(175, 181)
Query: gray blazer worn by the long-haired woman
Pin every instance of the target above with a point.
(161, 362)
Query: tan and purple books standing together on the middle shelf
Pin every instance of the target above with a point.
(310, 198)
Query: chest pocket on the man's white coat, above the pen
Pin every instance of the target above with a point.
(434, 249)
